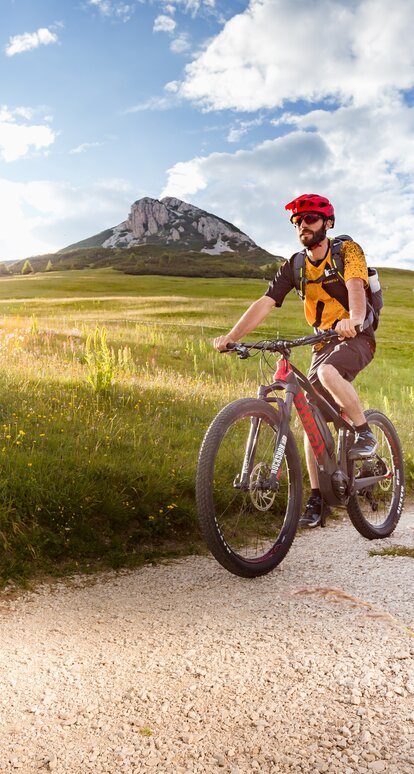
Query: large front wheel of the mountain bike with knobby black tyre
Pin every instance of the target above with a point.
(248, 526)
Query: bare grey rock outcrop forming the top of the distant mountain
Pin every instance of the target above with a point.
(175, 224)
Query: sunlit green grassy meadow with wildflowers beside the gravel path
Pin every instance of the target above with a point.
(107, 385)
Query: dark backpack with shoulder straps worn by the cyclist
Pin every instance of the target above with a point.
(374, 292)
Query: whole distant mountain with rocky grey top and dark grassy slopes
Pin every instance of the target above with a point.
(166, 236)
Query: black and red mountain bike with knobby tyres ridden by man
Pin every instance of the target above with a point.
(249, 474)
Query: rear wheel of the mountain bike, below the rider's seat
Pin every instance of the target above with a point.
(376, 510)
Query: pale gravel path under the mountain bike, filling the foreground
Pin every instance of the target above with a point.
(185, 668)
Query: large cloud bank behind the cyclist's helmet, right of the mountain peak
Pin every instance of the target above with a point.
(363, 159)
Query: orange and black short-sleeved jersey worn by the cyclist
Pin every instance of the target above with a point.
(325, 302)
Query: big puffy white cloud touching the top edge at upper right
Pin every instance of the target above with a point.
(274, 52)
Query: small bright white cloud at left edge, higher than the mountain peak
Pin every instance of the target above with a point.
(18, 139)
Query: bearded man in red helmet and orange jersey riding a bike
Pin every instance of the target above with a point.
(329, 302)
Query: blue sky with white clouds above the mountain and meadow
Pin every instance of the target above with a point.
(233, 106)
